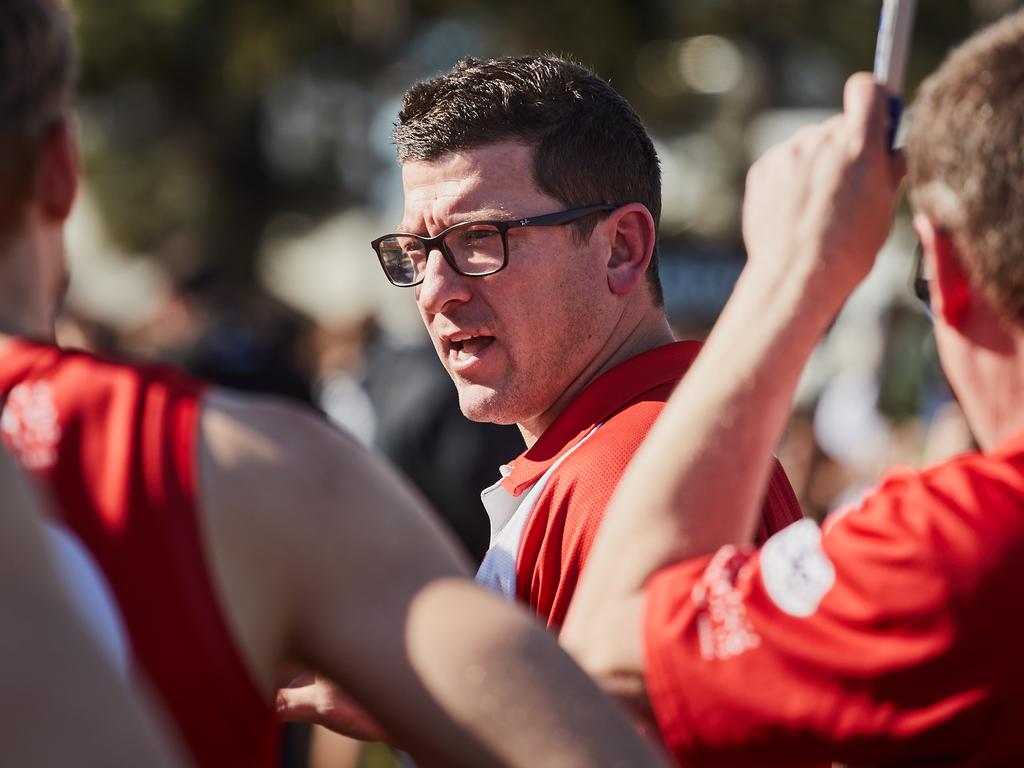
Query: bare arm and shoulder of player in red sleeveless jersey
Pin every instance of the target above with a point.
(374, 595)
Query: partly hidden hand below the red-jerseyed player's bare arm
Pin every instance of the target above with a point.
(311, 699)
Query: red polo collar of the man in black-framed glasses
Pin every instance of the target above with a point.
(608, 394)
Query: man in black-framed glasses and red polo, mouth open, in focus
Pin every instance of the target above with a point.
(532, 199)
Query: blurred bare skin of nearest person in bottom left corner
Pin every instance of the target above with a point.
(92, 718)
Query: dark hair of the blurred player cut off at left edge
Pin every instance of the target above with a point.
(37, 74)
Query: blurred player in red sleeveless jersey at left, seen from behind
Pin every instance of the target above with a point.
(240, 538)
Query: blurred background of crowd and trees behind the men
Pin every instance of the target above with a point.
(239, 161)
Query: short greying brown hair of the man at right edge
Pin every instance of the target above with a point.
(966, 159)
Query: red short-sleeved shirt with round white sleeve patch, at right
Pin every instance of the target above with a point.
(911, 656)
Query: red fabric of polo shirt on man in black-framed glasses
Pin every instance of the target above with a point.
(561, 532)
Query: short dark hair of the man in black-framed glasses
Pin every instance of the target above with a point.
(589, 145)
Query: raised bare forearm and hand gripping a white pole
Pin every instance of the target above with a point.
(817, 212)
